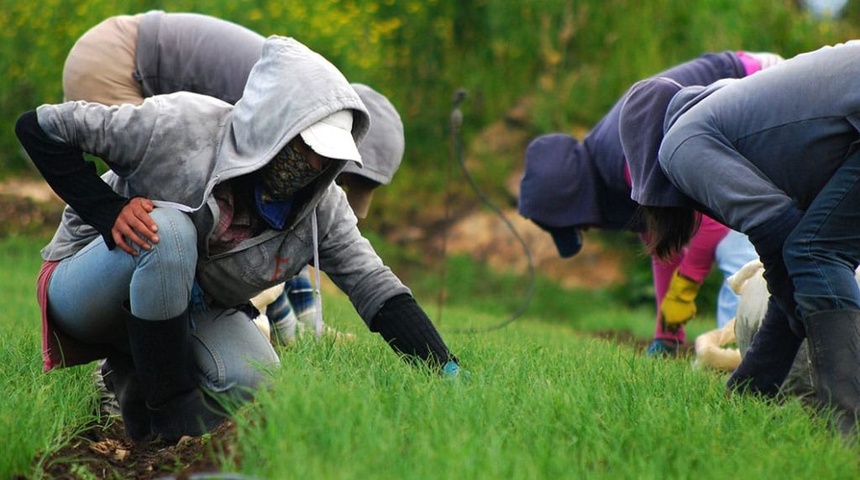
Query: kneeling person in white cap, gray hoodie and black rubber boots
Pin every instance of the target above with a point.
(205, 205)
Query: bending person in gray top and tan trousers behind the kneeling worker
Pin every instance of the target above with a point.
(126, 58)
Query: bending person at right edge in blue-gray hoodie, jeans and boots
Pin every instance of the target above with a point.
(773, 155)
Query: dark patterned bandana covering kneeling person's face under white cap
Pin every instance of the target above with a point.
(286, 174)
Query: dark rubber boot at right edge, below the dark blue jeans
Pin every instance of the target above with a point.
(834, 351)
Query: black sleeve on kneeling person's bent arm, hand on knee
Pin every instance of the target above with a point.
(73, 178)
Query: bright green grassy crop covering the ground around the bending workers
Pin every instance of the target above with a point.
(543, 400)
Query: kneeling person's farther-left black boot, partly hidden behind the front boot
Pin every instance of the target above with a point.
(120, 378)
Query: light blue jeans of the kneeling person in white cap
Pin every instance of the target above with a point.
(87, 291)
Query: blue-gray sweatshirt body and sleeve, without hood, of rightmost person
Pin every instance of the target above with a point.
(749, 149)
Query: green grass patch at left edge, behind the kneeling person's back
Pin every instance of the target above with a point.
(38, 411)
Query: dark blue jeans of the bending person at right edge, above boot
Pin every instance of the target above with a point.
(823, 251)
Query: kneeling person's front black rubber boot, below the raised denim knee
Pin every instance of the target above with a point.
(162, 360)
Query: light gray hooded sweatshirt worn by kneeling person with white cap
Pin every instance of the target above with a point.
(175, 148)
